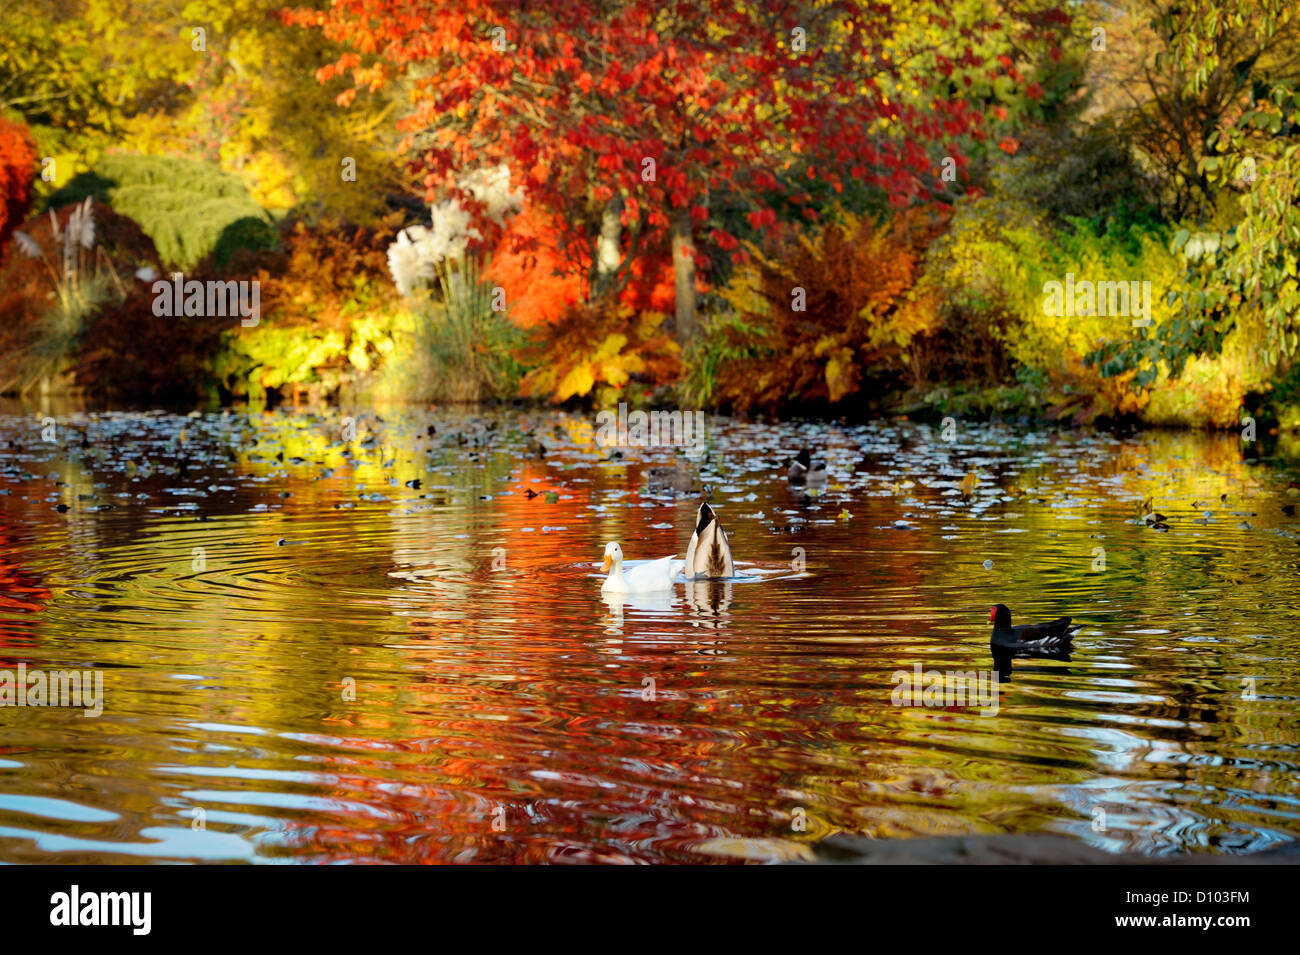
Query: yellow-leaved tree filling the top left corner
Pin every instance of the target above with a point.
(220, 80)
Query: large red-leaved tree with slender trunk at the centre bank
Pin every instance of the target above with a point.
(629, 116)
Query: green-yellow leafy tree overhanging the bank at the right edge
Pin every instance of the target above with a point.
(1242, 264)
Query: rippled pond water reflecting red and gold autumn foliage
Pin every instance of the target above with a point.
(395, 649)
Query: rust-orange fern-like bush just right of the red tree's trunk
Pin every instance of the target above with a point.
(863, 314)
